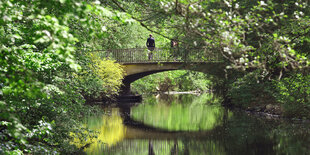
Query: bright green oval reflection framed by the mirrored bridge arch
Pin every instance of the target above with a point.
(178, 117)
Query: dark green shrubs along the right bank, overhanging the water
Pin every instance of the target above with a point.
(288, 97)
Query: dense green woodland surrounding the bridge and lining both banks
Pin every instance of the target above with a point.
(48, 72)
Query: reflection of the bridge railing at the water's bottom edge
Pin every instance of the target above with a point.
(165, 147)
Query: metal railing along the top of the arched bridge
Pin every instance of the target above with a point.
(142, 55)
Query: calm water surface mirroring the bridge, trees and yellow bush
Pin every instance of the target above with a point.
(192, 125)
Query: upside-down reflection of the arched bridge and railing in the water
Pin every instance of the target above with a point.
(143, 139)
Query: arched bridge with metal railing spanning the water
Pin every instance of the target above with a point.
(136, 63)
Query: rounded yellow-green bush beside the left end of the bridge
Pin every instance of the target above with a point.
(99, 78)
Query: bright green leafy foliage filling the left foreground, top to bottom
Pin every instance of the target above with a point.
(40, 104)
